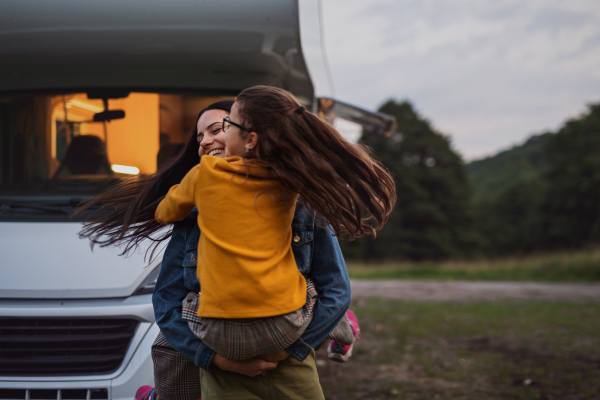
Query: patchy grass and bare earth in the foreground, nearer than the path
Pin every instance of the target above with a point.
(479, 350)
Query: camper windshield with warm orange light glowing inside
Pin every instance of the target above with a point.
(56, 150)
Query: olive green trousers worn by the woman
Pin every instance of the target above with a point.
(291, 380)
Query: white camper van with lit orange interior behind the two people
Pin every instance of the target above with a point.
(90, 93)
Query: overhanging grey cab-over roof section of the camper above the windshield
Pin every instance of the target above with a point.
(209, 46)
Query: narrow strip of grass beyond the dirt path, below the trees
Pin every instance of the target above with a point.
(559, 267)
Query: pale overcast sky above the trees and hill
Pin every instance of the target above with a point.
(486, 73)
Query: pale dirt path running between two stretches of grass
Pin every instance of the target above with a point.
(465, 291)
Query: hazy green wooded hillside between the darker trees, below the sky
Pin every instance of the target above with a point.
(492, 175)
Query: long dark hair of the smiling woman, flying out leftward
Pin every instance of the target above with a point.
(132, 202)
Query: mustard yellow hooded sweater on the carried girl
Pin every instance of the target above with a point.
(246, 267)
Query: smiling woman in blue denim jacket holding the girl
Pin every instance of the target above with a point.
(317, 255)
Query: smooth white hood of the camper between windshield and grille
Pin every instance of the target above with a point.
(49, 261)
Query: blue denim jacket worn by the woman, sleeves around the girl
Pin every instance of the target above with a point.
(317, 253)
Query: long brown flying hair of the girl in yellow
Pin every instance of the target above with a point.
(342, 182)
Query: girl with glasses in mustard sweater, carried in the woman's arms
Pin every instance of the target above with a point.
(251, 275)
